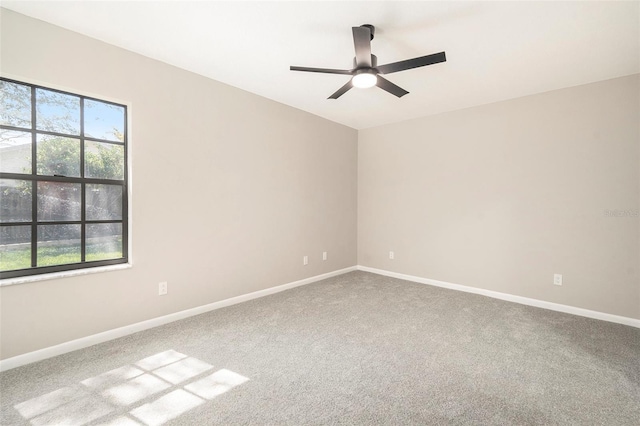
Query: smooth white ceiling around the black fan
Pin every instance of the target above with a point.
(495, 50)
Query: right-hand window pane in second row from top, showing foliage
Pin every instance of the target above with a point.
(103, 161)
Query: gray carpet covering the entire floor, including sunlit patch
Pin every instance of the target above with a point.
(355, 349)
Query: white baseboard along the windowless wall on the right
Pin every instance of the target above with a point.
(509, 297)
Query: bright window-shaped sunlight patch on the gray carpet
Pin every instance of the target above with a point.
(154, 390)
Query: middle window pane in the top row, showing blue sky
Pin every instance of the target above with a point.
(57, 112)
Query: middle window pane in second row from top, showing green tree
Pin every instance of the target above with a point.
(57, 155)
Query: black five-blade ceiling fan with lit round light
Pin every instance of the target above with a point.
(366, 72)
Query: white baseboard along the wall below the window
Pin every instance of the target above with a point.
(84, 342)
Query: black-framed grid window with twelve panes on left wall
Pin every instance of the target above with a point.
(63, 181)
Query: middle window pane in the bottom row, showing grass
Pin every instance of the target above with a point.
(58, 244)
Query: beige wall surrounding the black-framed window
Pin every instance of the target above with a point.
(230, 190)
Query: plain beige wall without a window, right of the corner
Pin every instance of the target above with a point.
(503, 196)
